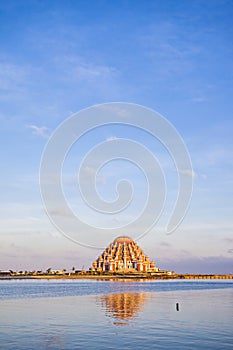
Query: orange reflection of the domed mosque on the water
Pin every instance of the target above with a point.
(122, 307)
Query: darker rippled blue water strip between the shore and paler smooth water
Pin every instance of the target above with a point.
(15, 289)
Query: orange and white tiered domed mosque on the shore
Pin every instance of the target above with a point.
(123, 254)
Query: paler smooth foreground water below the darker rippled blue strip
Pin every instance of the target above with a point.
(91, 322)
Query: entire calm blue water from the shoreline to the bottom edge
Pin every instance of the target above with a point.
(86, 314)
